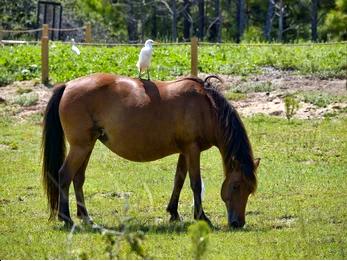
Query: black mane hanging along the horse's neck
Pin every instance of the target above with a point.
(236, 145)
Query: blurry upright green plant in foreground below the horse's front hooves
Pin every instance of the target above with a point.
(199, 234)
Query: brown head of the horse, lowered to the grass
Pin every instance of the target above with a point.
(235, 191)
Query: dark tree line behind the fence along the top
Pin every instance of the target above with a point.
(209, 20)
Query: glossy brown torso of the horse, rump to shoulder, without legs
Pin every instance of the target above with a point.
(138, 120)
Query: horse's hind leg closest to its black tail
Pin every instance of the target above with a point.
(73, 162)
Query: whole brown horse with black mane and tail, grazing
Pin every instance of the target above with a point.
(144, 121)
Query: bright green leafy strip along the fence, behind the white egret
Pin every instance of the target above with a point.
(23, 62)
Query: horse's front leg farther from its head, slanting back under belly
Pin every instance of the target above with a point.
(181, 173)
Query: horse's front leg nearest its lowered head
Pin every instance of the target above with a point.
(195, 182)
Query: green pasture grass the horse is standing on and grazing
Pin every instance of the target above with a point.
(298, 212)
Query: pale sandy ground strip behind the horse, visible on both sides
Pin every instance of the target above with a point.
(267, 102)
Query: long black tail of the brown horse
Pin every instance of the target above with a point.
(53, 149)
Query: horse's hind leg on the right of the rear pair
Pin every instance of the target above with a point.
(78, 182)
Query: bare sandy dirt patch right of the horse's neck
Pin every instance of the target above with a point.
(265, 93)
